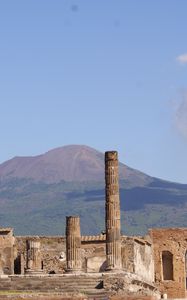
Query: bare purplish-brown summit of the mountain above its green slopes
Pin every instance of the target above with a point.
(69, 163)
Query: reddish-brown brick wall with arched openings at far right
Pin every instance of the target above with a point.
(170, 246)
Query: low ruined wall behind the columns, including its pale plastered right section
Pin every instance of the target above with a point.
(136, 255)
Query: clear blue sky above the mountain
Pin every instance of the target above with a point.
(110, 74)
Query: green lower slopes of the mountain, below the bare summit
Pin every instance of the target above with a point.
(39, 208)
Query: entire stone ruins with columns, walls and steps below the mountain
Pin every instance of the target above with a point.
(107, 264)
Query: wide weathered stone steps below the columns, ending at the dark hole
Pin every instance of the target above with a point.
(65, 283)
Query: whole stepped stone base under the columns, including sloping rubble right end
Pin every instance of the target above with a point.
(98, 286)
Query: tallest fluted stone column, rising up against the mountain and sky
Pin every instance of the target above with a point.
(112, 210)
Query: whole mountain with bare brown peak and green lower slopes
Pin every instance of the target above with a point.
(37, 193)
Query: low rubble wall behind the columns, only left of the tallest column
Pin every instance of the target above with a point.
(53, 252)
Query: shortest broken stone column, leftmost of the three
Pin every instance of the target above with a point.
(33, 262)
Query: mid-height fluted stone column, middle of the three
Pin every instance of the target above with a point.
(73, 244)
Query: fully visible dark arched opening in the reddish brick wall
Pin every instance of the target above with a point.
(167, 265)
